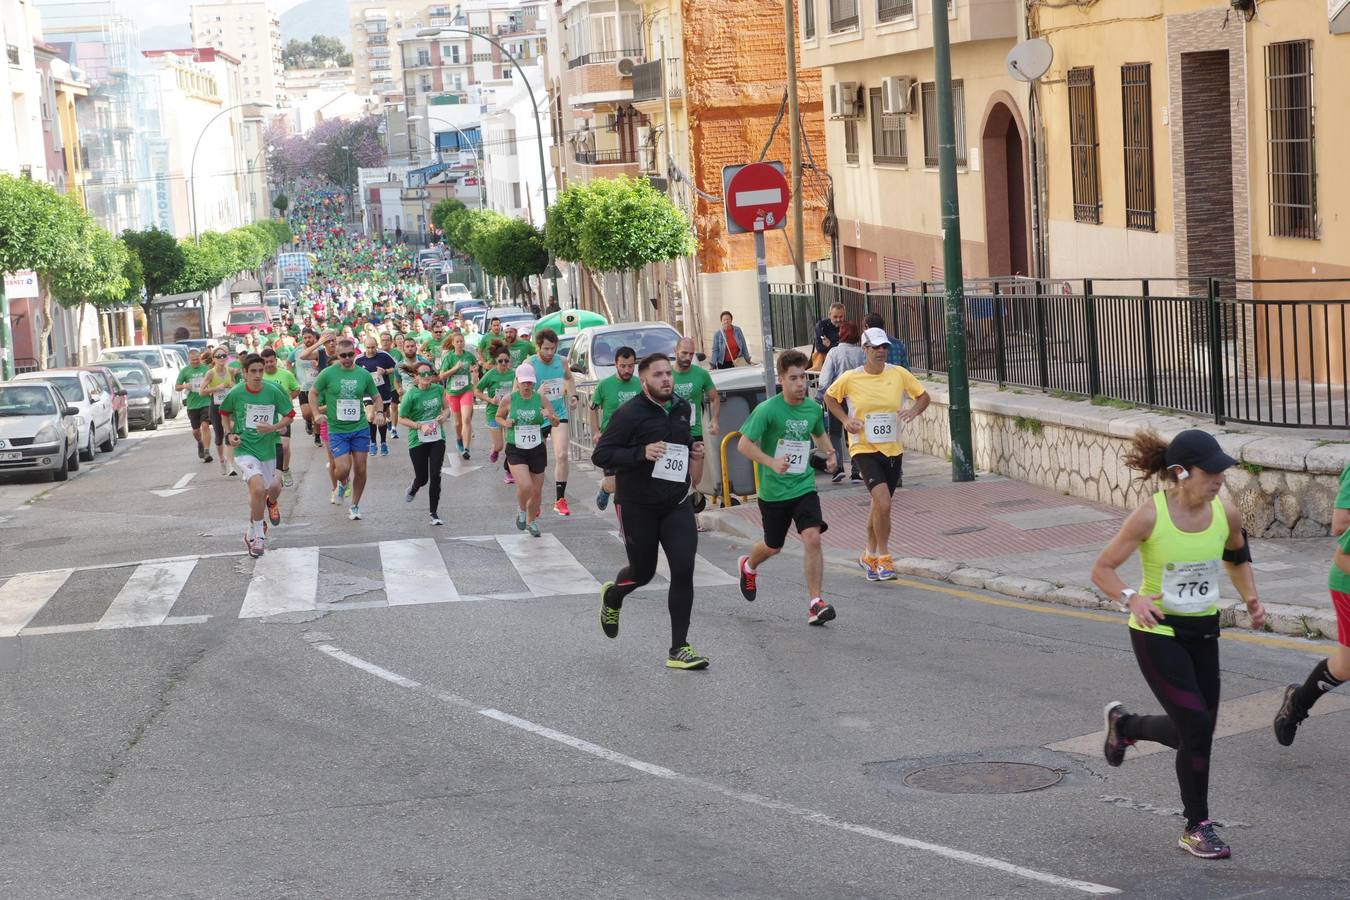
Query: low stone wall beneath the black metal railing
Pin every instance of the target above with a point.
(1286, 486)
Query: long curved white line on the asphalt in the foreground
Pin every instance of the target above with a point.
(712, 787)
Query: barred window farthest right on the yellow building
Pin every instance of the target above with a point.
(1290, 140)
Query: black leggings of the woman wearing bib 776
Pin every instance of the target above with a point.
(1183, 673)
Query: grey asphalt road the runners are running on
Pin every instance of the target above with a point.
(379, 743)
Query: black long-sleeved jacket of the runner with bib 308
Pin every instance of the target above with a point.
(623, 449)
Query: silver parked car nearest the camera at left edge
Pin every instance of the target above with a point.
(40, 431)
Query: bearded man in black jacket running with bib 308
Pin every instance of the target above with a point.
(650, 446)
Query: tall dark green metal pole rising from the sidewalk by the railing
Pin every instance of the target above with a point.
(959, 384)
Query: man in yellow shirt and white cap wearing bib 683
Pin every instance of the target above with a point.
(873, 420)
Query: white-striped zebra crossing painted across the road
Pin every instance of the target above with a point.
(230, 586)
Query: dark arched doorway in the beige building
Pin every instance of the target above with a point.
(1006, 214)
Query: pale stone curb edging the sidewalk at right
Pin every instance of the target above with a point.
(1282, 619)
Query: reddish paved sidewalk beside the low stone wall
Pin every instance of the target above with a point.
(1031, 543)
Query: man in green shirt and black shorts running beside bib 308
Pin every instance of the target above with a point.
(778, 438)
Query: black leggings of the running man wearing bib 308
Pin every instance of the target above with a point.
(646, 532)
